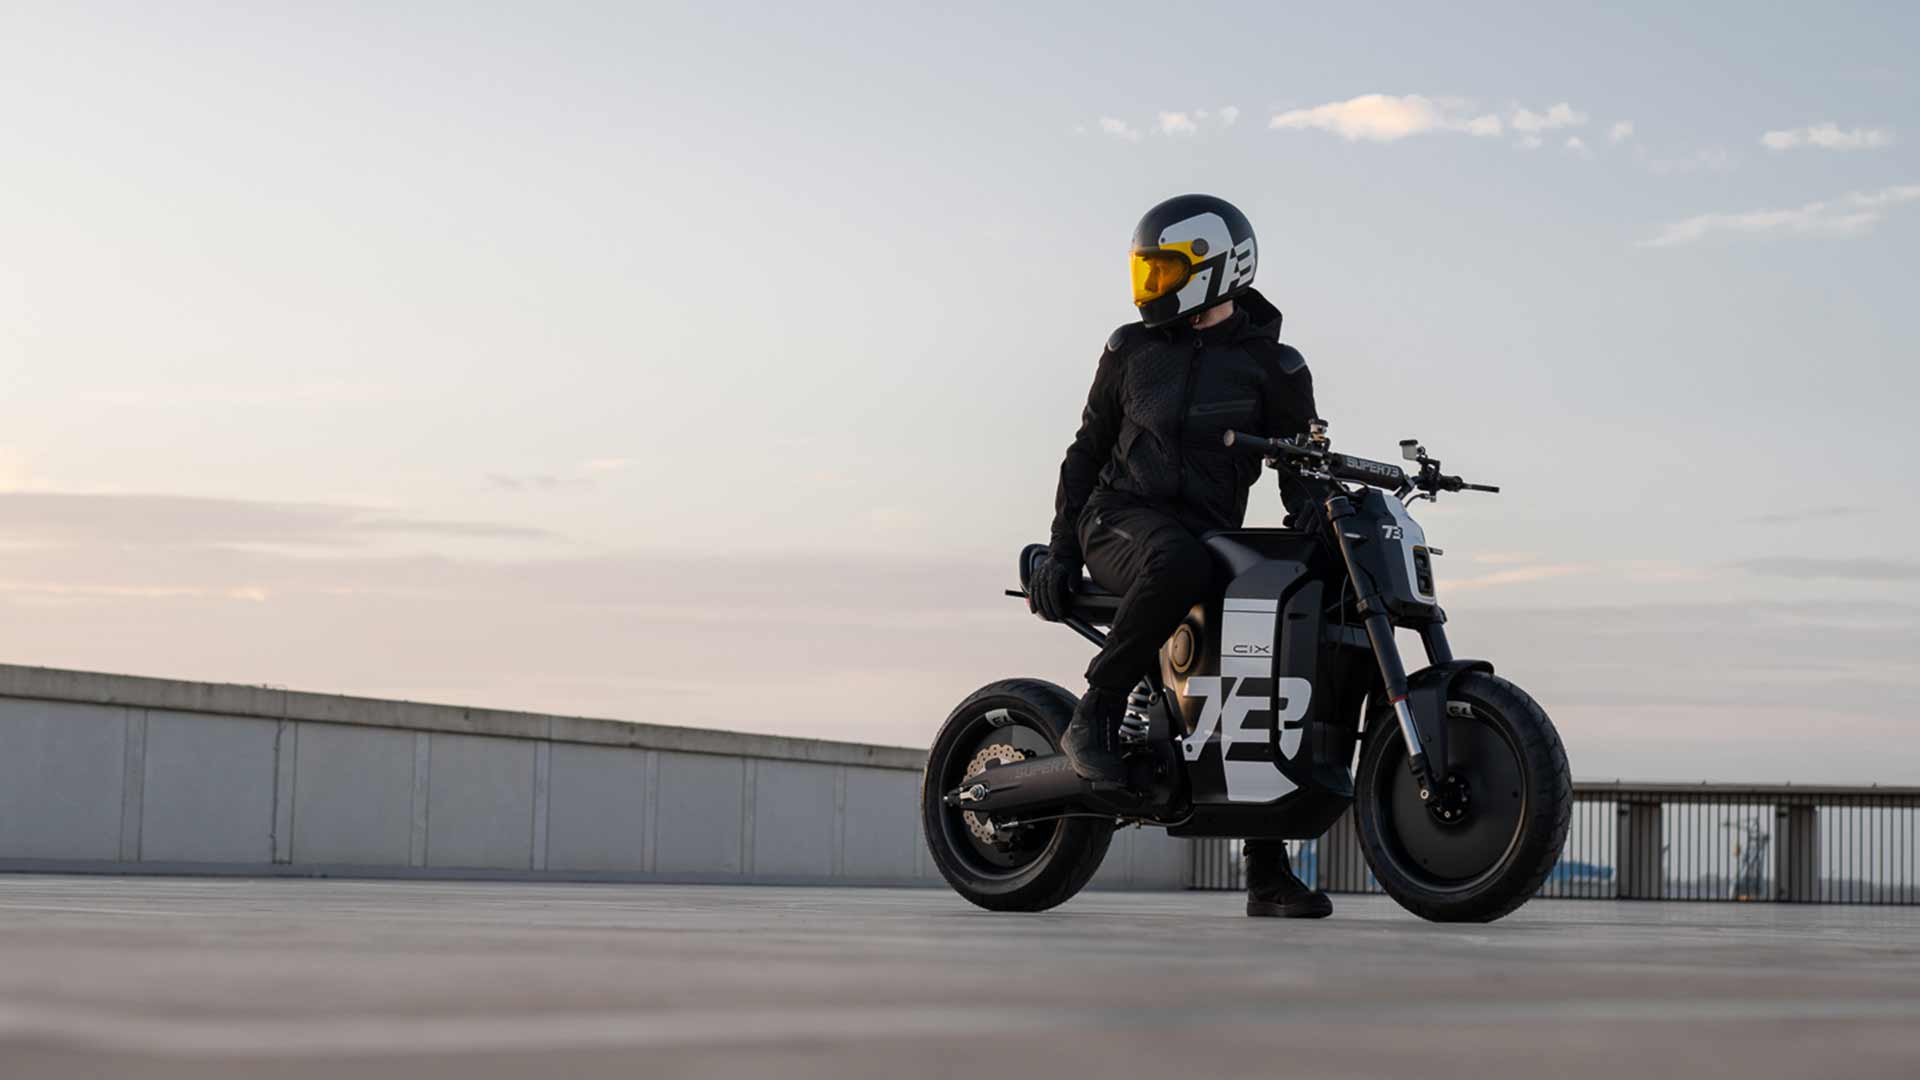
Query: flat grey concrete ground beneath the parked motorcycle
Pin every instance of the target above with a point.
(210, 979)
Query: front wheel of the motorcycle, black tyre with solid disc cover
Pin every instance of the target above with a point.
(1491, 833)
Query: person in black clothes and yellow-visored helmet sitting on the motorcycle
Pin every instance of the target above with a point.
(1147, 476)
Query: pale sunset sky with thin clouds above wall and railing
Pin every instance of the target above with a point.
(711, 364)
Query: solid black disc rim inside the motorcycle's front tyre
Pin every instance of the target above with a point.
(1454, 856)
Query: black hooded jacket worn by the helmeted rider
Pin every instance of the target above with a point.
(1151, 433)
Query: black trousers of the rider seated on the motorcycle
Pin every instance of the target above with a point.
(1161, 570)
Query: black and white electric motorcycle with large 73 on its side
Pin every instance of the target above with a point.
(1249, 727)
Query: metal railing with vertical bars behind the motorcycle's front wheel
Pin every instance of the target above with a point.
(1731, 843)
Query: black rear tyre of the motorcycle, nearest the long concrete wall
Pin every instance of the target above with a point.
(1047, 862)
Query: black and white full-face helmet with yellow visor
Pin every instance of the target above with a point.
(1189, 255)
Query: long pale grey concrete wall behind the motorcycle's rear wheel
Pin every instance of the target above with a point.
(147, 775)
